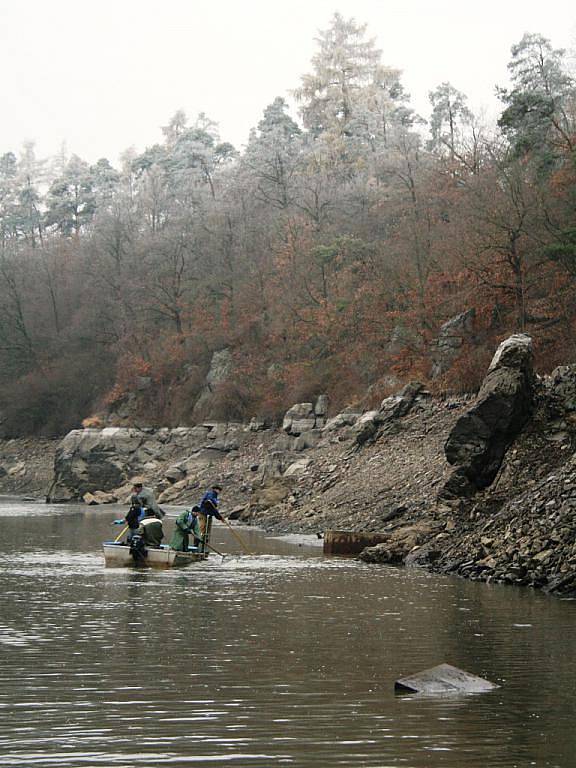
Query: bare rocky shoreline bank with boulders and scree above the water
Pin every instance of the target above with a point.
(503, 510)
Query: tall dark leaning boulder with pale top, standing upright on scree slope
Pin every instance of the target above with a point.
(479, 439)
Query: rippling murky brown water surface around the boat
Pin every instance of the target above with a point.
(282, 658)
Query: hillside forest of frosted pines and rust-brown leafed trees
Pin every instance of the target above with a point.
(325, 256)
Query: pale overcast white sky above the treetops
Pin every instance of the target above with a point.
(105, 75)
